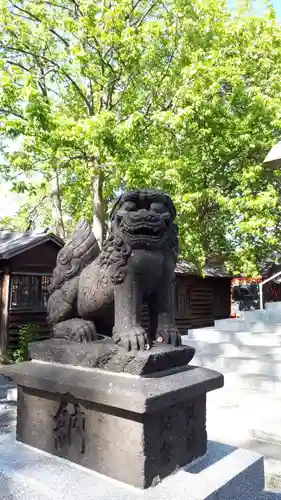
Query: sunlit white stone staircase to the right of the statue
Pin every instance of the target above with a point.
(247, 349)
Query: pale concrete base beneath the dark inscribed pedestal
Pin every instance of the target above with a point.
(224, 473)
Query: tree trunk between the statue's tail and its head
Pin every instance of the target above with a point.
(98, 208)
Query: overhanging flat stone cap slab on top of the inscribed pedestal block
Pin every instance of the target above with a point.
(128, 392)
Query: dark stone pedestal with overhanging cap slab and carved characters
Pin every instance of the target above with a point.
(137, 429)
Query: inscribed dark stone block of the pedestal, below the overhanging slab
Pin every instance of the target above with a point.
(133, 448)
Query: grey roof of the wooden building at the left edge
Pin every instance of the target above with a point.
(13, 243)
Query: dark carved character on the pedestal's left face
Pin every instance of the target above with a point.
(69, 425)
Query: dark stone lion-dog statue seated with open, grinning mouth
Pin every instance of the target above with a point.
(95, 292)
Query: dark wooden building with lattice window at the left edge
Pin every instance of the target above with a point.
(27, 261)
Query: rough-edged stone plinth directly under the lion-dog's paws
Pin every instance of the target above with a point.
(105, 354)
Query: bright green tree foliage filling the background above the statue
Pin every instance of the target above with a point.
(178, 94)
